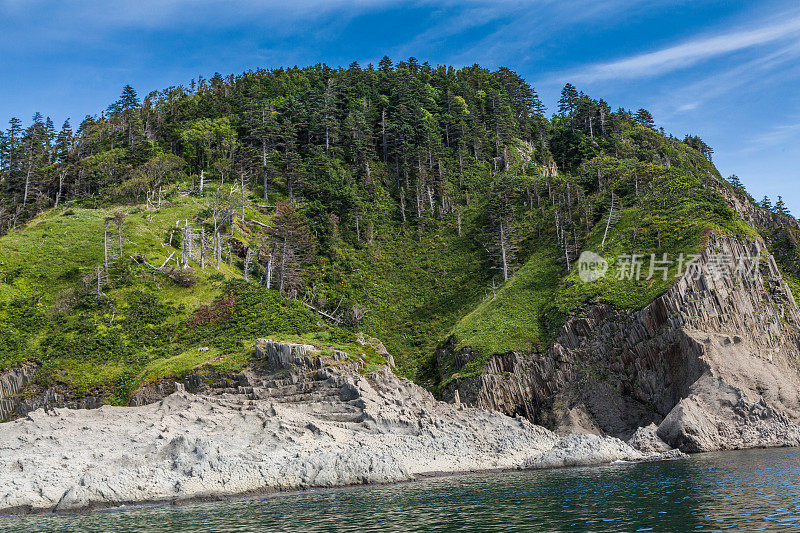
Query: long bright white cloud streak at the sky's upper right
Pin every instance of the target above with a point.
(689, 53)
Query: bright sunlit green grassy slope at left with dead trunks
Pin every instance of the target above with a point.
(138, 331)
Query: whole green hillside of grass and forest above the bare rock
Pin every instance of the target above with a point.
(435, 209)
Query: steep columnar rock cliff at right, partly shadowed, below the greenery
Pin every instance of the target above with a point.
(713, 363)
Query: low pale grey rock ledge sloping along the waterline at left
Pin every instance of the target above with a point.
(300, 421)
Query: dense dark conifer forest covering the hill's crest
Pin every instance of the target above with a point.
(394, 140)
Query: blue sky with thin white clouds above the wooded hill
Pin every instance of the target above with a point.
(725, 70)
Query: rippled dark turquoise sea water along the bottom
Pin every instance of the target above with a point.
(757, 490)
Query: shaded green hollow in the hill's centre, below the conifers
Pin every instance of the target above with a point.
(415, 287)
